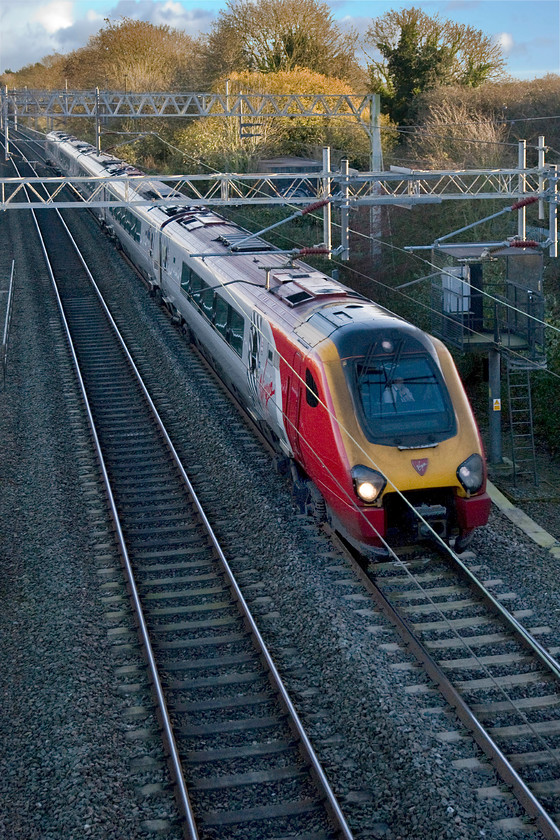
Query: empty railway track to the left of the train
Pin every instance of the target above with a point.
(241, 761)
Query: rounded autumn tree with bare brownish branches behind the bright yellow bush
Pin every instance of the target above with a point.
(268, 36)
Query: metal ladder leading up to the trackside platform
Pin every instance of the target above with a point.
(521, 424)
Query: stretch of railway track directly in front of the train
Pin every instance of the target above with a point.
(501, 680)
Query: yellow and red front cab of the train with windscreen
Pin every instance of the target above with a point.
(409, 457)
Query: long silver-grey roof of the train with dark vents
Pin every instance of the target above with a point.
(286, 289)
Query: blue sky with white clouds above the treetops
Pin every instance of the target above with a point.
(528, 30)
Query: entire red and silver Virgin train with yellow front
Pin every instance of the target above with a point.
(369, 410)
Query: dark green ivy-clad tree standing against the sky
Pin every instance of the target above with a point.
(419, 53)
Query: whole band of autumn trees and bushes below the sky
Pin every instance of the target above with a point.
(447, 101)
